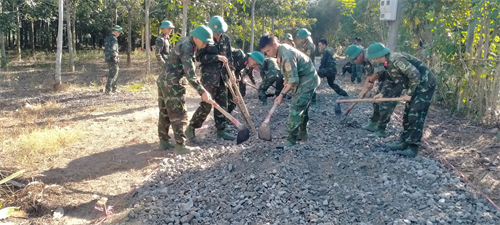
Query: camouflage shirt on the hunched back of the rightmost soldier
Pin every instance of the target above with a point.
(409, 71)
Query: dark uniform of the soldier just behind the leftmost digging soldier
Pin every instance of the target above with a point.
(213, 81)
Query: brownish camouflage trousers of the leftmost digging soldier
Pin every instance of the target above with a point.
(173, 112)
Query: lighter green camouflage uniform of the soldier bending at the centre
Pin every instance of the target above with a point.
(299, 69)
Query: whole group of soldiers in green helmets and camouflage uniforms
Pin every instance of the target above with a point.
(289, 67)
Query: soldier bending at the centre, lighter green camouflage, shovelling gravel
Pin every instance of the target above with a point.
(301, 81)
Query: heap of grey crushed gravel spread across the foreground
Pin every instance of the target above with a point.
(338, 176)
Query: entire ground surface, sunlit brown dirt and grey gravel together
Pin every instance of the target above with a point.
(117, 148)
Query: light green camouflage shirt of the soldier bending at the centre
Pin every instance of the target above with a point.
(295, 66)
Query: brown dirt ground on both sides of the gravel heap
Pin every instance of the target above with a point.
(117, 145)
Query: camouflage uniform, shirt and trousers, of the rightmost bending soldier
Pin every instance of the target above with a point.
(420, 83)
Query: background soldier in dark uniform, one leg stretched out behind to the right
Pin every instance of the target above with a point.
(328, 66)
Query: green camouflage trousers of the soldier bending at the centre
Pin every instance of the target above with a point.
(298, 116)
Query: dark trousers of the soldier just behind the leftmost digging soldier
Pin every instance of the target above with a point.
(220, 95)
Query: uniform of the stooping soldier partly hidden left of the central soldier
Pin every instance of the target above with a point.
(270, 74)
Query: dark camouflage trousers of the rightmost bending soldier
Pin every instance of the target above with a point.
(416, 111)
